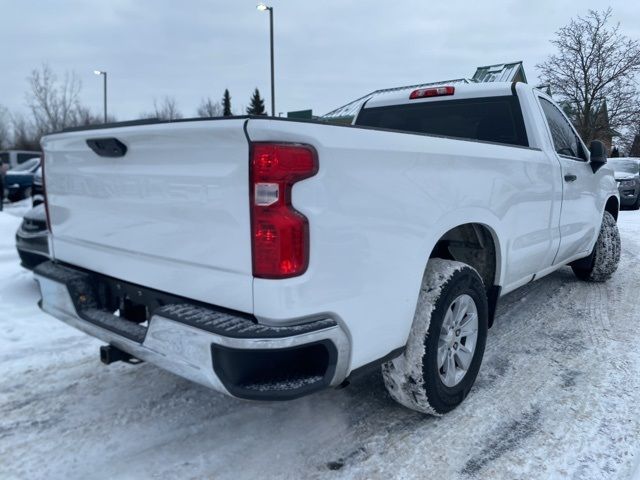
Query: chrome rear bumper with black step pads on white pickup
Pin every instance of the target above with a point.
(230, 353)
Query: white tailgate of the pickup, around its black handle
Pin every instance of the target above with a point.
(171, 214)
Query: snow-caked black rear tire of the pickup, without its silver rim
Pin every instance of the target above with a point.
(414, 378)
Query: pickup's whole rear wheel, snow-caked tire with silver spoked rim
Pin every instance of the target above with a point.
(446, 342)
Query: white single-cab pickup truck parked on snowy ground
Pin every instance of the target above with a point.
(270, 258)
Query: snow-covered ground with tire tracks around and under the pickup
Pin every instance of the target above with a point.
(558, 396)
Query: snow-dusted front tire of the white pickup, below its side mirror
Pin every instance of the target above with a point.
(604, 259)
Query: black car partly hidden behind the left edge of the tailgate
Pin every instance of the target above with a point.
(32, 238)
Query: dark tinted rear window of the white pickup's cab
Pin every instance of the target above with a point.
(491, 119)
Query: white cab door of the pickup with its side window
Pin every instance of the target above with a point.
(580, 215)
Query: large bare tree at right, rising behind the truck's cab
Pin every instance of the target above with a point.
(594, 69)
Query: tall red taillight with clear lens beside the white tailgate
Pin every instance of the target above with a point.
(279, 233)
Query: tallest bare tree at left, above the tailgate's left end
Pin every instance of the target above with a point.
(53, 103)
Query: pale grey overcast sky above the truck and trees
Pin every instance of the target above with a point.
(327, 52)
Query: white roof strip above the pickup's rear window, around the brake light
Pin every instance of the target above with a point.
(461, 91)
